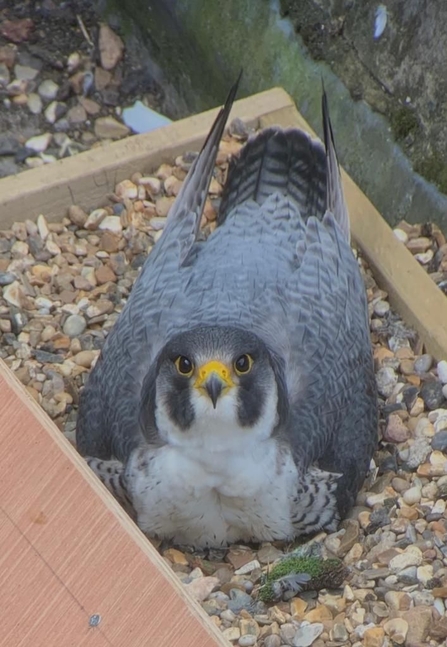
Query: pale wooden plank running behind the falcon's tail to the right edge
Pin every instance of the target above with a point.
(411, 291)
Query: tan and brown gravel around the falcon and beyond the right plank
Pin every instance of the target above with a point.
(62, 286)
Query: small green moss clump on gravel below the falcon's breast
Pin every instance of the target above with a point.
(323, 573)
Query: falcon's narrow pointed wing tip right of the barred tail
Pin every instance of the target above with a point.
(334, 188)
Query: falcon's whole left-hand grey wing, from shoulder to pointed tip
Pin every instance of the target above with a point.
(107, 424)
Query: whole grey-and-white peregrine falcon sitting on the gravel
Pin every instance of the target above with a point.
(235, 397)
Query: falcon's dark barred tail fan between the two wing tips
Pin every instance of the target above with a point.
(286, 161)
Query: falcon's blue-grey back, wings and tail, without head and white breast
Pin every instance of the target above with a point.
(279, 265)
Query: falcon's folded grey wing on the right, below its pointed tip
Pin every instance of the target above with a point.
(334, 412)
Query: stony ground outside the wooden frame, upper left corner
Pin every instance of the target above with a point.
(67, 83)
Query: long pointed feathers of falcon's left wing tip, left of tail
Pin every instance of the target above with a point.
(188, 207)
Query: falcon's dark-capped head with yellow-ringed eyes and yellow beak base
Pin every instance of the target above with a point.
(211, 384)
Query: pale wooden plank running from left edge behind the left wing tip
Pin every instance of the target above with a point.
(87, 178)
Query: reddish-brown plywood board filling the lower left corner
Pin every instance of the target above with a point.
(68, 551)
